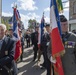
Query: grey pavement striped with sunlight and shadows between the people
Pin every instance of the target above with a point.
(27, 67)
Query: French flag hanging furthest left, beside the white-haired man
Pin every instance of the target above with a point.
(16, 33)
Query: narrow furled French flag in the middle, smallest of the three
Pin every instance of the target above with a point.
(41, 30)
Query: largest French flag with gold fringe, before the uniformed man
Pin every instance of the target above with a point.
(56, 41)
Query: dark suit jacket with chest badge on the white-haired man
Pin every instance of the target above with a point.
(7, 52)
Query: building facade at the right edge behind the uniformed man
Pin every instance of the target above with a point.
(72, 15)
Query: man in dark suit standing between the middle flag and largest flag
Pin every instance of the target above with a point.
(44, 44)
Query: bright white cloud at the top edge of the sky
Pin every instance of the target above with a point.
(27, 5)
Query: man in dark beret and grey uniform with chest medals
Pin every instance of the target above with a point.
(69, 41)
